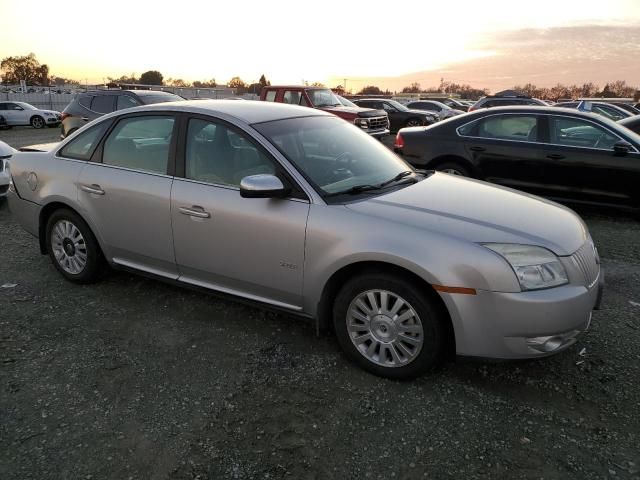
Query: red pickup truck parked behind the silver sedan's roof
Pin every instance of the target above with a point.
(374, 122)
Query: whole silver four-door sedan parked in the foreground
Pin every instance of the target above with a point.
(299, 210)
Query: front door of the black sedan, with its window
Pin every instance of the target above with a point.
(582, 165)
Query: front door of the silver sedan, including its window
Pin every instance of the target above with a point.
(251, 247)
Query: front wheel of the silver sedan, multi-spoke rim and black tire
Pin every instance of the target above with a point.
(388, 326)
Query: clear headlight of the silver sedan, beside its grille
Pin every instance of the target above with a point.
(535, 267)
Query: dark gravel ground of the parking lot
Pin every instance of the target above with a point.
(132, 378)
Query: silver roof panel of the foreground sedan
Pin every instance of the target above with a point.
(250, 111)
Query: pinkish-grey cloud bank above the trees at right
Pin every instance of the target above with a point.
(568, 54)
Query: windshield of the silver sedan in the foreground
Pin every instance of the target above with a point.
(333, 155)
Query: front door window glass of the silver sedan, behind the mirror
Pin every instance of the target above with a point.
(216, 154)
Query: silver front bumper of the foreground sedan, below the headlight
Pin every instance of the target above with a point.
(521, 325)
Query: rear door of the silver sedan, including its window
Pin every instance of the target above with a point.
(127, 195)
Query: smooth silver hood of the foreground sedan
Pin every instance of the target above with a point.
(479, 212)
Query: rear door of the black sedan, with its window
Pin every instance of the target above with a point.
(505, 148)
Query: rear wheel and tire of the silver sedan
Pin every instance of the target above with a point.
(73, 248)
